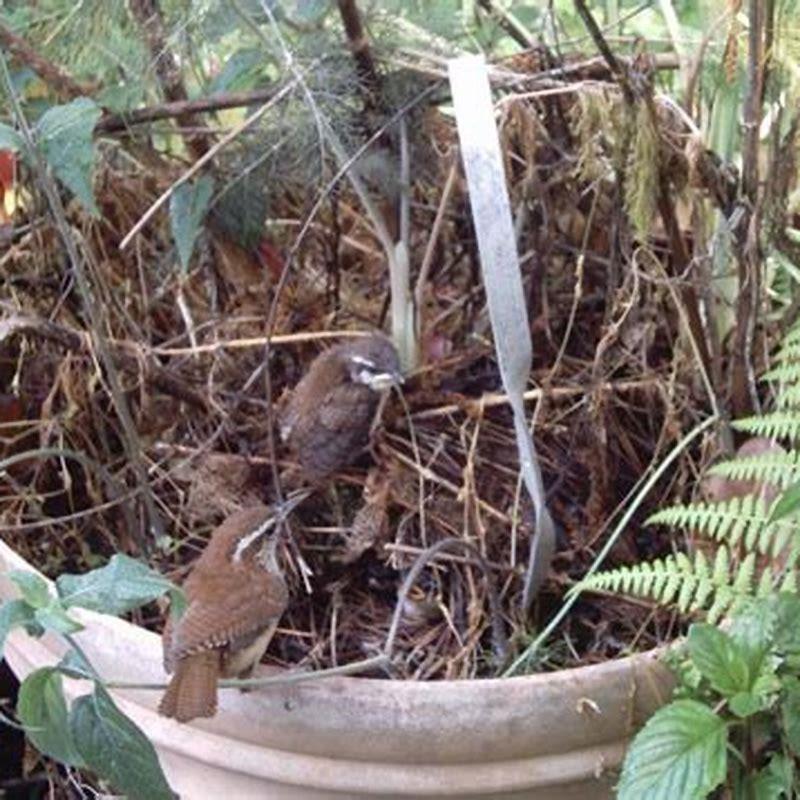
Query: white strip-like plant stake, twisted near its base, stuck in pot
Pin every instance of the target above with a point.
(491, 214)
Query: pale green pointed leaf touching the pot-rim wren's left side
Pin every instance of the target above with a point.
(120, 586)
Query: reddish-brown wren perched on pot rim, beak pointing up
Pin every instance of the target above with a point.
(235, 597)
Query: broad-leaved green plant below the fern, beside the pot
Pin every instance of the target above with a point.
(736, 712)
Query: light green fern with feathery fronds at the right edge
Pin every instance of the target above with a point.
(754, 547)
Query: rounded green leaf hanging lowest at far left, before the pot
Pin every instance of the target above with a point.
(42, 709)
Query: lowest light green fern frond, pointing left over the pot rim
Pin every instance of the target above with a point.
(691, 584)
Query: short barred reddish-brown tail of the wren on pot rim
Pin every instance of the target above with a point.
(192, 692)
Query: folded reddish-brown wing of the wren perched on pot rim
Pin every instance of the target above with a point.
(226, 610)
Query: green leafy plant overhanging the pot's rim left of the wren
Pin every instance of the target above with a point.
(93, 733)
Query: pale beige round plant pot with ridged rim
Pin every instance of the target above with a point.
(552, 735)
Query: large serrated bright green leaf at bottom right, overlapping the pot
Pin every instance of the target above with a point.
(680, 752)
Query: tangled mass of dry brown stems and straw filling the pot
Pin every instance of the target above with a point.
(169, 404)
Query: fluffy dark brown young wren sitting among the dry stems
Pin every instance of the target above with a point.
(328, 417)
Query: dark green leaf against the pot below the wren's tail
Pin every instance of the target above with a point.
(116, 749)
